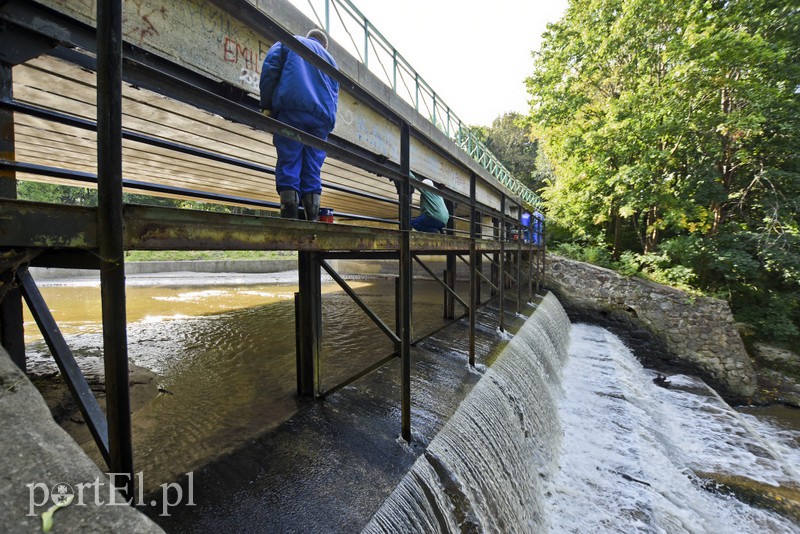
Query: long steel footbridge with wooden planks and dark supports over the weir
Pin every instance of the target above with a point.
(159, 97)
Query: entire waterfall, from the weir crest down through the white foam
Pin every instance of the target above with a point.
(567, 432)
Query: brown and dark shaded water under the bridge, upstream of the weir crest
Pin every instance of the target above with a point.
(261, 459)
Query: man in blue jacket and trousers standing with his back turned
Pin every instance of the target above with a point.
(299, 94)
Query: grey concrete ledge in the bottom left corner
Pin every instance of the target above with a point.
(37, 456)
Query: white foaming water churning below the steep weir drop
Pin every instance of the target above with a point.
(632, 451)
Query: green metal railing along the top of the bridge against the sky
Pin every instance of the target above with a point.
(356, 34)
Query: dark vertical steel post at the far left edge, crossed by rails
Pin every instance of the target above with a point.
(12, 334)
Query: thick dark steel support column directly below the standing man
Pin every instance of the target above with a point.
(308, 324)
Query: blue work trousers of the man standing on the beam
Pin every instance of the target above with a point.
(298, 165)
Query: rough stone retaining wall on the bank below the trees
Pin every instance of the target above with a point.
(697, 331)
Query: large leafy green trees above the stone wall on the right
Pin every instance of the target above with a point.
(672, 131)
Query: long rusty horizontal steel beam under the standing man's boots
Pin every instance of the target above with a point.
(42, 225)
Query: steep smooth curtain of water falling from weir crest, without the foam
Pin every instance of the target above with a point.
(485, 469)
